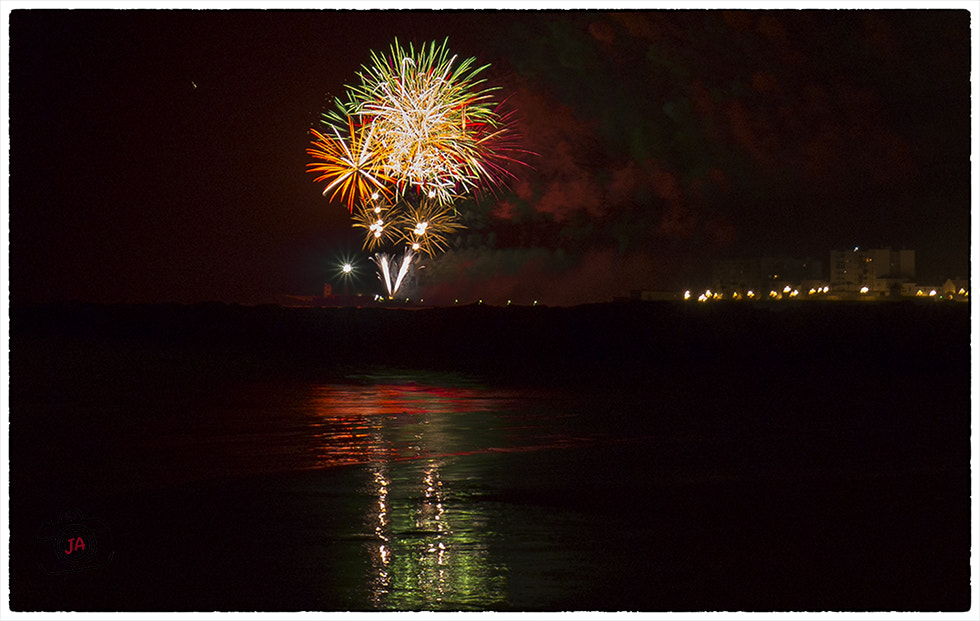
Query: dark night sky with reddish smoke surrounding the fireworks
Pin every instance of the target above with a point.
(160, 155)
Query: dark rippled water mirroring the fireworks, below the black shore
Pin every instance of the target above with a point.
(412, 489)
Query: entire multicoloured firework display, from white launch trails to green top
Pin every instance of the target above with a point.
(418, 132)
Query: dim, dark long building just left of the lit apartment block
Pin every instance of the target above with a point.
(764, 274)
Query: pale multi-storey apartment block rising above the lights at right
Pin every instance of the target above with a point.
(877, 269)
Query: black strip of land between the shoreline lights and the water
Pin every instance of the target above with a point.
(585, 346)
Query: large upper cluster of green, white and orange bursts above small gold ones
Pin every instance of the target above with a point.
(425, 121)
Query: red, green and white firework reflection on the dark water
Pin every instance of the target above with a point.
(426, 541)
